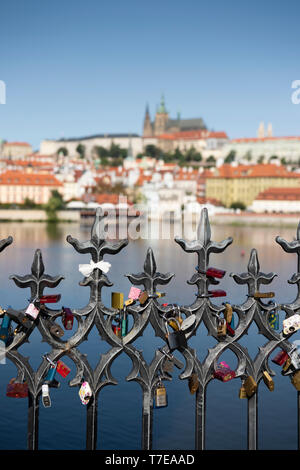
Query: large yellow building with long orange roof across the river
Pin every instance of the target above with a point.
(232, 183)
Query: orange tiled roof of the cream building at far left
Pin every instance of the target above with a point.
(18, 178)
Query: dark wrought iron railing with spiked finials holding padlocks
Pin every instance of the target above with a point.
(152, 311)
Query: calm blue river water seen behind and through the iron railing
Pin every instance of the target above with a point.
(63, 426)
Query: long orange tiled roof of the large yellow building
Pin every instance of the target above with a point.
(253, 171)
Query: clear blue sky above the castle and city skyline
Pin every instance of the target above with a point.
(75, 68)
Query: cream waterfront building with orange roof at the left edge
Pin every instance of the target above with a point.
(16, 186)
